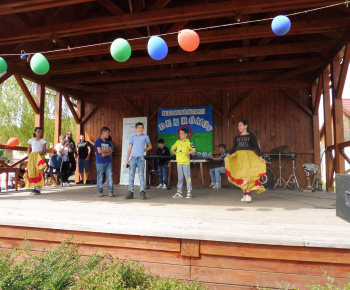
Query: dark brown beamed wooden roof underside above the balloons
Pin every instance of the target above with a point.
(241, 56)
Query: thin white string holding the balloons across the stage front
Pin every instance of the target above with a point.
(195, 29)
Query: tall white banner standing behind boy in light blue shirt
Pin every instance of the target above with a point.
(128, 132)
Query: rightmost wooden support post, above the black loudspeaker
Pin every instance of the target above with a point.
(338, 123)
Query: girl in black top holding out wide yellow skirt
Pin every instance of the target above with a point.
(243, 167)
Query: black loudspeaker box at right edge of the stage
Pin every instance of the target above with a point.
(342, 183)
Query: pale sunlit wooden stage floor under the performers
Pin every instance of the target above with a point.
(276, 217)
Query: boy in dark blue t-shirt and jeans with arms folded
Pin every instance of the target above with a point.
(104, 162)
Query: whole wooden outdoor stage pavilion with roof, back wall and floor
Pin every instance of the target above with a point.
(244, 71)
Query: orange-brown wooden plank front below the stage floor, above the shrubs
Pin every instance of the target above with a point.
(220, 265)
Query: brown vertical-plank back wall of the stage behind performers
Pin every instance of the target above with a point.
(274, 118)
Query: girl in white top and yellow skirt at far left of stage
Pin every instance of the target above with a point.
(34, 175)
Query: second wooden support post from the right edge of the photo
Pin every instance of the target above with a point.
(327, 129)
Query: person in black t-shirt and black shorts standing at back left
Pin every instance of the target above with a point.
(84, 151)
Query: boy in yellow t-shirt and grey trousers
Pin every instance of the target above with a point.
(184, 148)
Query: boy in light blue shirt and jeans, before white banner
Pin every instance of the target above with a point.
(136, 152)
